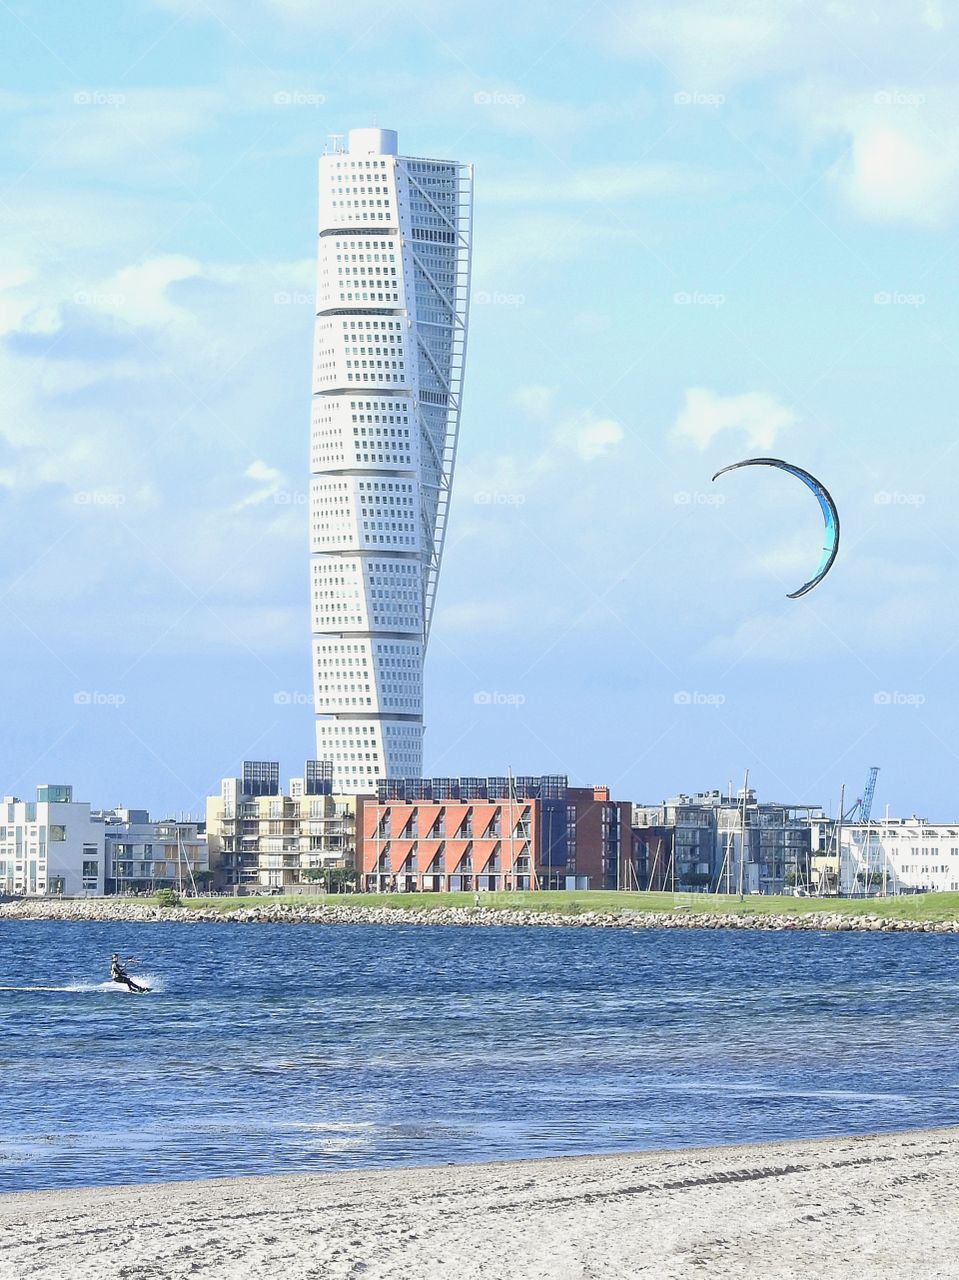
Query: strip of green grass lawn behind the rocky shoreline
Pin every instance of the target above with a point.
(914, 907)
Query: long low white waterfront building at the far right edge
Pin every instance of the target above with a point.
(892, 856)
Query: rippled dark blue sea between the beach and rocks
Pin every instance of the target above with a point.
(277, 1049)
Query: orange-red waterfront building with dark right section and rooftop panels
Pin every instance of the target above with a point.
(494, 834)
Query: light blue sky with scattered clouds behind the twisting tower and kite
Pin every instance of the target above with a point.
(701, 234)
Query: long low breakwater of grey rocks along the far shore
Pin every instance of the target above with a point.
(341, 912)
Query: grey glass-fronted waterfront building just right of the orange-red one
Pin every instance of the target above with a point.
(715, 842)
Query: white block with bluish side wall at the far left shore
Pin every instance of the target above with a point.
(51, 845)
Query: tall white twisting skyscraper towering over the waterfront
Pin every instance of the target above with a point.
(389, 362)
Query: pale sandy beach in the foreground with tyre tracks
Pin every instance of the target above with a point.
(846, 1208)
